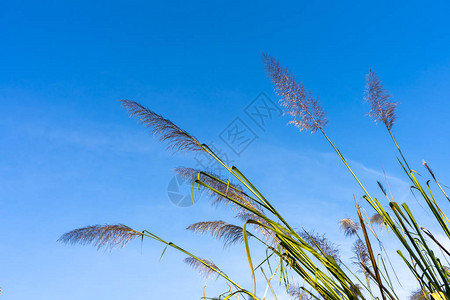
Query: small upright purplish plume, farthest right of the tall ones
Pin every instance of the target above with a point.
(379, 99)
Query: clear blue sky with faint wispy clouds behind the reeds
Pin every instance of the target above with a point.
(70, 156)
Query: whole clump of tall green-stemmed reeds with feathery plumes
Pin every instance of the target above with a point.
(308, 265)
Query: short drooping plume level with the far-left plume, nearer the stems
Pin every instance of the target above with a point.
(229, 233)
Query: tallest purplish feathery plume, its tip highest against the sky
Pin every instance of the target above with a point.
(299, 103)
